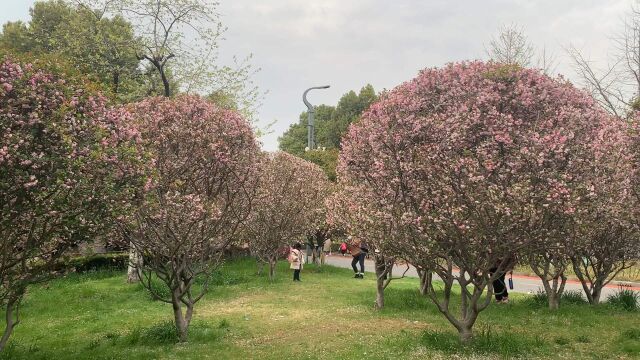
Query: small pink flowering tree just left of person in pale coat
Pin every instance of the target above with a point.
(288, 204)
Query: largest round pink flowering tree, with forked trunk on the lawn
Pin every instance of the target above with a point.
(478, 160)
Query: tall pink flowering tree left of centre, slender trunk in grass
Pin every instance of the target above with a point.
(203, 169)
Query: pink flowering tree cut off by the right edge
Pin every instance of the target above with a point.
(606, 233)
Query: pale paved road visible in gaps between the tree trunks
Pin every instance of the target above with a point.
(521, 283)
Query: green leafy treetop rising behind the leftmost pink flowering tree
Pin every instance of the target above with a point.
(101, 48)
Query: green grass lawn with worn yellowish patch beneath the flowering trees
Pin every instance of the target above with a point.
(329, 315)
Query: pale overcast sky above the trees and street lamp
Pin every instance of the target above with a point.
(348, 43)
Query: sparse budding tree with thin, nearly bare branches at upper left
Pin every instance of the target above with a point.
(179, 39)
